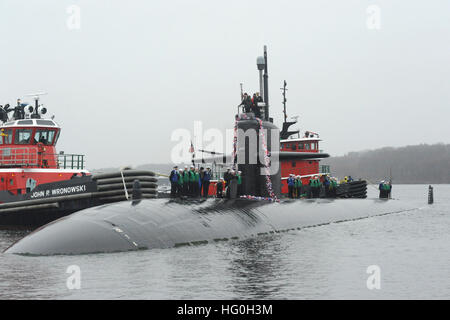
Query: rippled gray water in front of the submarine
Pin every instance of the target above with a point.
(412, 250)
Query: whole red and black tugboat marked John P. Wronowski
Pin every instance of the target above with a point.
(38, 185)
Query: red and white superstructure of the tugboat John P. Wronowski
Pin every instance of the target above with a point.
(28, 155)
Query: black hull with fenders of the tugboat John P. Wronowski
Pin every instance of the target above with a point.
(51, 201)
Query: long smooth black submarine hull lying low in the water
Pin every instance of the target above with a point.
(162, 223)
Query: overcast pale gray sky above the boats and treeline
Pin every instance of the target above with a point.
(136, 70)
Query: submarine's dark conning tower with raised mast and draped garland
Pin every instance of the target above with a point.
(257, 145)
